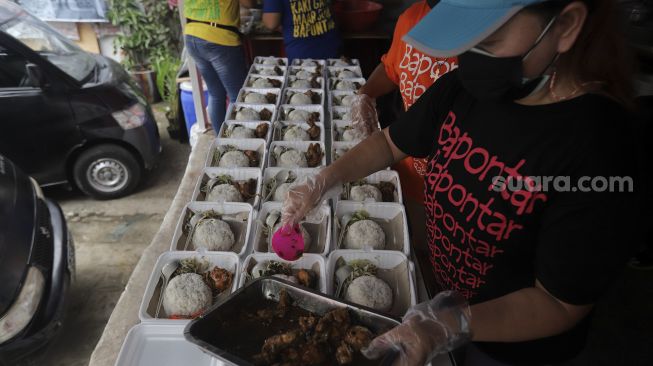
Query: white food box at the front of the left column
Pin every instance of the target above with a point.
(153, 291)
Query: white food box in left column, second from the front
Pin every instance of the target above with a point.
(240, 223)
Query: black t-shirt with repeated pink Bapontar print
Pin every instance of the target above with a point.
(486, 242)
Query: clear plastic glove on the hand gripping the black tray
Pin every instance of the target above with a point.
(428, 329)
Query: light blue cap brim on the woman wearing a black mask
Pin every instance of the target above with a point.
(449, 30)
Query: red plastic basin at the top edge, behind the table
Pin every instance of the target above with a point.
(357, 15)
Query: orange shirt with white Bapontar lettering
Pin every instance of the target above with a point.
(414, 72)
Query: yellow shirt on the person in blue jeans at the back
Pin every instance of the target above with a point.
(225, 12)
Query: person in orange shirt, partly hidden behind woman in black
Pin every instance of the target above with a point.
(413, 72)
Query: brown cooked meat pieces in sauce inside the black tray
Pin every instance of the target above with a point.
(309, 340)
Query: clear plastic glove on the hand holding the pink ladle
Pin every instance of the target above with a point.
(305, 195)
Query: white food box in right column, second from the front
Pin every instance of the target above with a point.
(390, 216)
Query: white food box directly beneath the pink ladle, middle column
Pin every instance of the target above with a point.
(317, 223)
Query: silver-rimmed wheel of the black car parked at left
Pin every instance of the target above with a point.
(106, 172)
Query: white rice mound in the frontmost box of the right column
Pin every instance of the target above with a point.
(370, 291)
